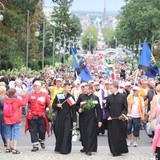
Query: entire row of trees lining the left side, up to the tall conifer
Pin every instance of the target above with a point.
(13, 30)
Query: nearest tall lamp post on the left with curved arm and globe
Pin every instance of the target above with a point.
(28, 35)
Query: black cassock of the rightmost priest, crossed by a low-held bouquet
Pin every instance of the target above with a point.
(115, 106)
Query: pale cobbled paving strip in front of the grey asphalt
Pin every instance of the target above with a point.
(140, 153)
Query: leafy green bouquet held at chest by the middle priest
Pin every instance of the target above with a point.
(88, 104)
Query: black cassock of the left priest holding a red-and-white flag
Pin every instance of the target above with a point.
(63, 123)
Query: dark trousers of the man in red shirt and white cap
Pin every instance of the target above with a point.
(37, 129)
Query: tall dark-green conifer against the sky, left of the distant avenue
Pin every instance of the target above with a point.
(67, 26)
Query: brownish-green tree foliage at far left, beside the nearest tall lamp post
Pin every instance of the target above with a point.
(13, 32)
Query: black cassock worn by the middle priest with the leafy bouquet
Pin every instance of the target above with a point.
(89, 123)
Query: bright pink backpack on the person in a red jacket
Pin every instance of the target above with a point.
(8, 109)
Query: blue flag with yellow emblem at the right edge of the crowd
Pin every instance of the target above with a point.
(147, 61)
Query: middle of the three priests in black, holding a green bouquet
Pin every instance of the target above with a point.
(92, 119)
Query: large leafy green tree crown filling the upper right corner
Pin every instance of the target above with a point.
(139, 19)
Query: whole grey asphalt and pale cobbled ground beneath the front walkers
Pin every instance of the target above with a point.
(142, 152)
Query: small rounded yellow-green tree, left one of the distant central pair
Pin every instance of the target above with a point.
(89, 39)
